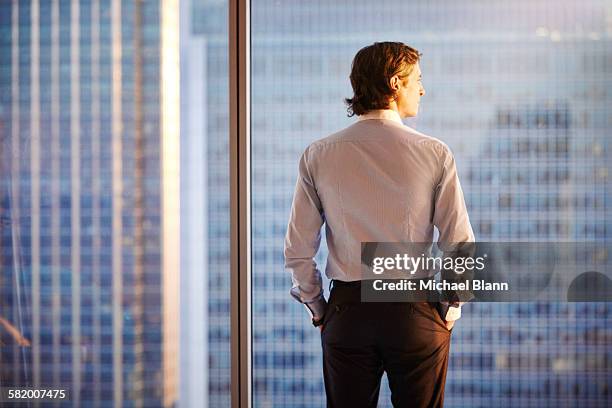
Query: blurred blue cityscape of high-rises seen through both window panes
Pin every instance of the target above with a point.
(520, 91)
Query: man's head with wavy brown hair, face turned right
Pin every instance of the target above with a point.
(386, 75)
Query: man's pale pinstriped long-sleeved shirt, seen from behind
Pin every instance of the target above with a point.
(374, 181)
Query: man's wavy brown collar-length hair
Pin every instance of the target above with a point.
(372, 68)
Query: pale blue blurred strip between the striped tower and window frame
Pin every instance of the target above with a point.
(205, 240)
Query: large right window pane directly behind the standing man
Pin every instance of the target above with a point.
(518, 92)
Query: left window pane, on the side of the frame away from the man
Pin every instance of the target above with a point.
(85, 293)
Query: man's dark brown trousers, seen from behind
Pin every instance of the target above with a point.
(408, 341)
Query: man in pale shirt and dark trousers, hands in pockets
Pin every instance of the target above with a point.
(376, 181)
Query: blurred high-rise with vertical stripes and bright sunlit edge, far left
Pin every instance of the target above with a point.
(89, 199)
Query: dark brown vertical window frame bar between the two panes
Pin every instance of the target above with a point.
(240, 202)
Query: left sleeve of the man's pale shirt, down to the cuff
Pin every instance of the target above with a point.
(302, 242)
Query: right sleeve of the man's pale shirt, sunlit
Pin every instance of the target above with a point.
(452, 220)
